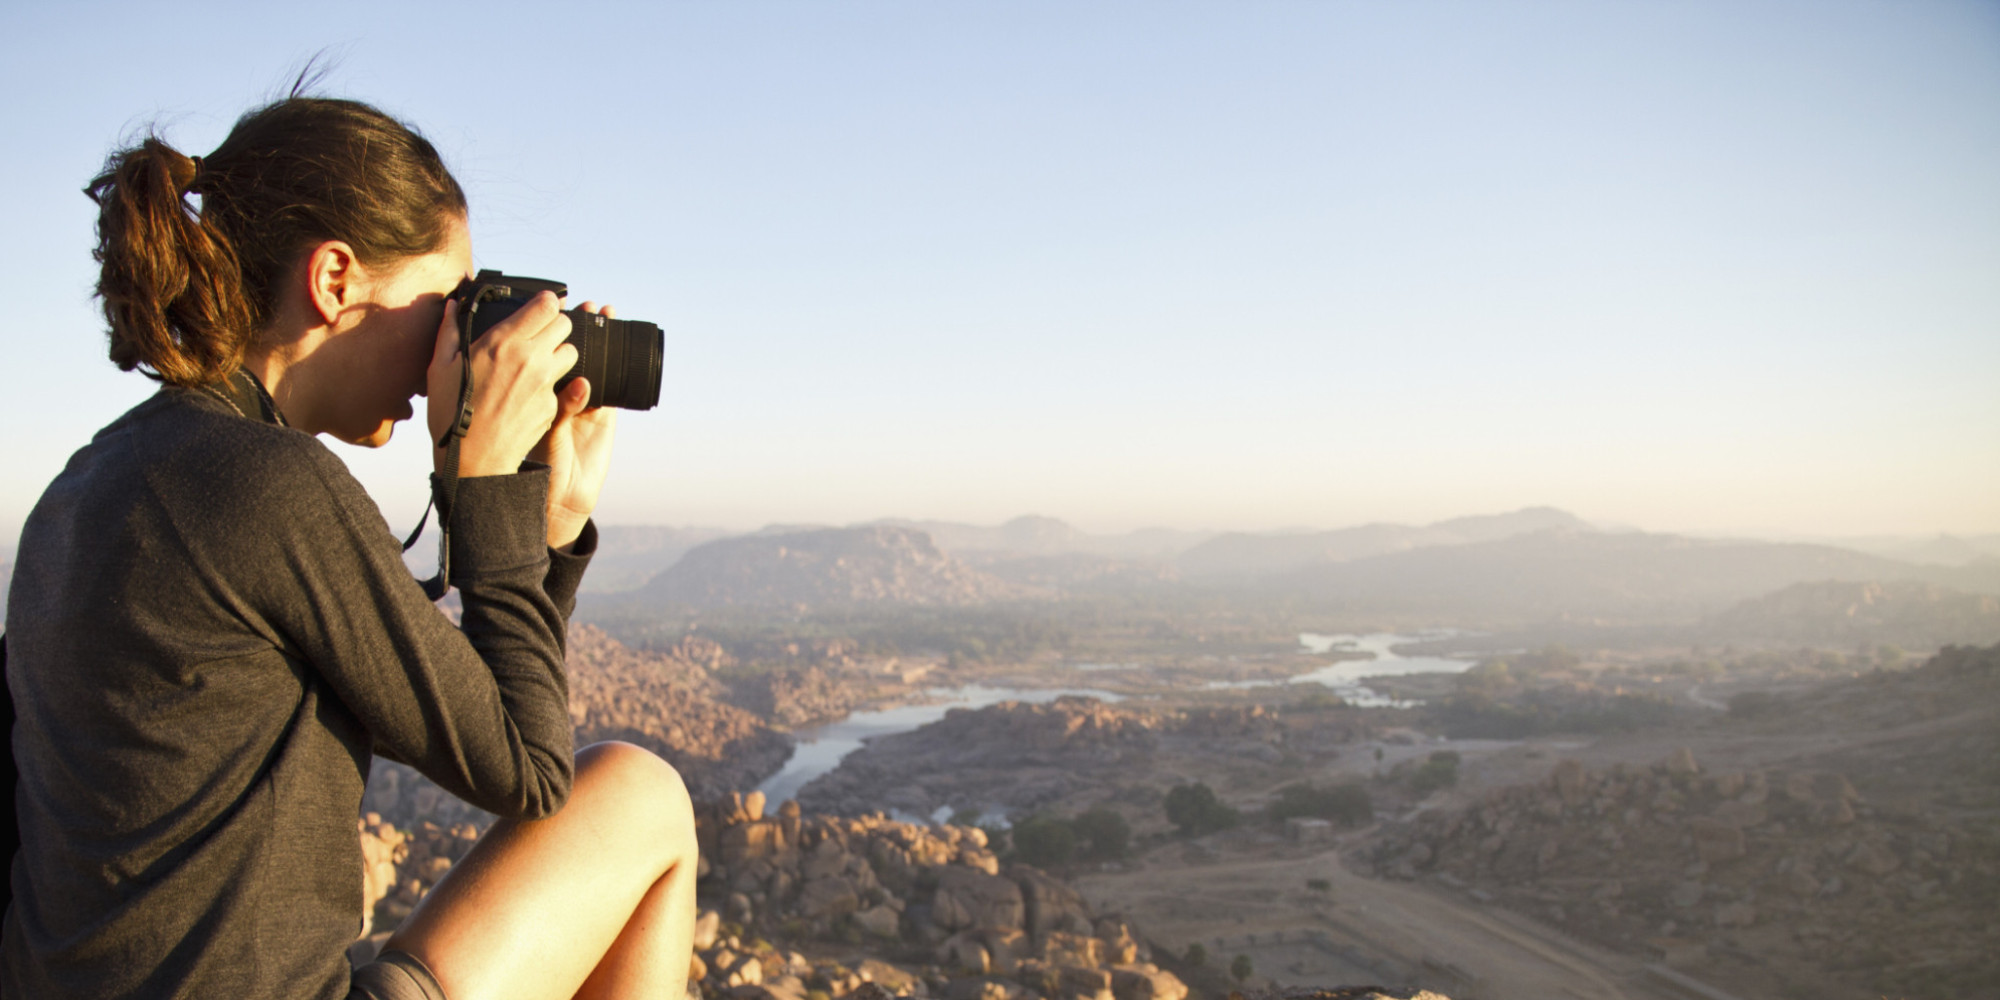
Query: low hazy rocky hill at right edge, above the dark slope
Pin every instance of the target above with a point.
(1903, 613)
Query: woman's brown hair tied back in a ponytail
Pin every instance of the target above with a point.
(187, 289)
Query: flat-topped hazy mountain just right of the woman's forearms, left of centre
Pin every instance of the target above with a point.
(825, 567)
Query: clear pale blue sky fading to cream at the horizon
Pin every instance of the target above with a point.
(1701, 267)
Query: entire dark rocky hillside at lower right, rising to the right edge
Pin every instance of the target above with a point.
(1859, 867)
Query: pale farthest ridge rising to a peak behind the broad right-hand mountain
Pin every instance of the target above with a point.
(1239, 555)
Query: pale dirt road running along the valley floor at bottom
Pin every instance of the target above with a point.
(1259, 905)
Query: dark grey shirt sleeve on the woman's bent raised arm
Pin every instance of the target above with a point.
(481, 707)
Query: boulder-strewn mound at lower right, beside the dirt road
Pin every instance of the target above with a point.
(1793, 867)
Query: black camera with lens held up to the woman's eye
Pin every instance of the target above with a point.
(619, 357)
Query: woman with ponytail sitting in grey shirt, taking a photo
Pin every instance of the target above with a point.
(211, 629)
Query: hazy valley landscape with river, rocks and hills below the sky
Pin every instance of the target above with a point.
(1497, 757)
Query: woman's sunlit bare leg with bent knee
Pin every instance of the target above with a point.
(595, 901)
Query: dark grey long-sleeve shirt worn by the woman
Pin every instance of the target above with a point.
(209, 633)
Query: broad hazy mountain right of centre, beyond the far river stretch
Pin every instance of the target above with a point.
(1583, 575)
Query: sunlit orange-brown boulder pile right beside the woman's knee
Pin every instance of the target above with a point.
(965, 925)
